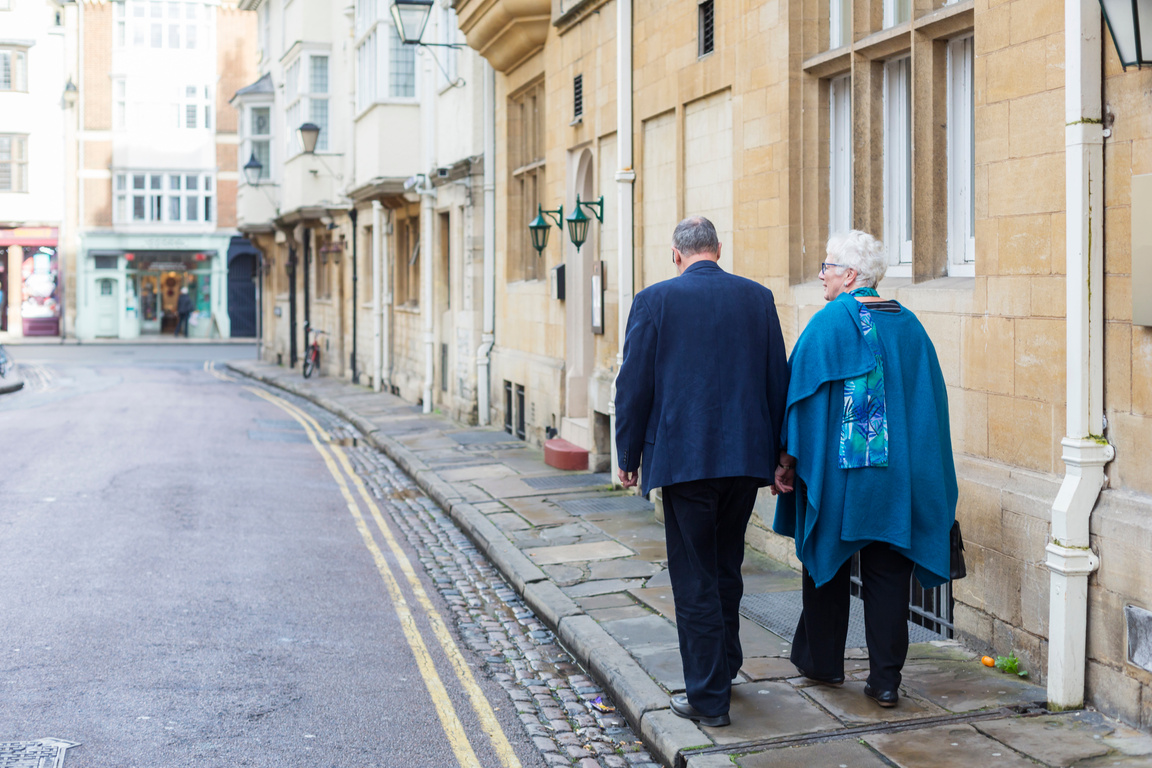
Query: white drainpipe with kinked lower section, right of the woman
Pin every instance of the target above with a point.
(1071, 561)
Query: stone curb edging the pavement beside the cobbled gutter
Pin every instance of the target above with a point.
(641, 701)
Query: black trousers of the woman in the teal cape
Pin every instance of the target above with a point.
(818, 648)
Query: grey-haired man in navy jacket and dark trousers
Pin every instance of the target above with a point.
(701, 402)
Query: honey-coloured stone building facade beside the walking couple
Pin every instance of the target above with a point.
(982, 141)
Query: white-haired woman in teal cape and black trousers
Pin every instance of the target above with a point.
(868, 450)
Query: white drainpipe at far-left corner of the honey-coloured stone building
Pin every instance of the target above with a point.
(488, 339)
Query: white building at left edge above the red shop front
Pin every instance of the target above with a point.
(33, 98)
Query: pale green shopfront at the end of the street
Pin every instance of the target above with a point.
(128, 286)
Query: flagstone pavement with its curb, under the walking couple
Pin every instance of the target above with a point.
(590, 561)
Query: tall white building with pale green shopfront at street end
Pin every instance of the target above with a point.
(156, 204)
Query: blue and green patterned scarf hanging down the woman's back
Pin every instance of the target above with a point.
(865, 424)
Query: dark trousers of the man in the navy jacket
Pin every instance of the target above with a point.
(704, 529)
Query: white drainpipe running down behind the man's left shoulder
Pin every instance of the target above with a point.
(626, 180)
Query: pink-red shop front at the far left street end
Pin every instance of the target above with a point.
(31, 292)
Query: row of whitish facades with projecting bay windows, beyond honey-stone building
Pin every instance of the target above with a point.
(376, 237)
